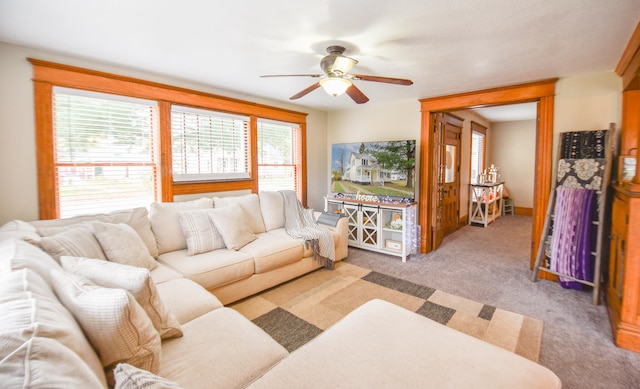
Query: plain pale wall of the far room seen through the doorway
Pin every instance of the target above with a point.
(513, 150)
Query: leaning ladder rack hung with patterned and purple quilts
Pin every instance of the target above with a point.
(572, 236)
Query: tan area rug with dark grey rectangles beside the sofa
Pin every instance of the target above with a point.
(299, 310)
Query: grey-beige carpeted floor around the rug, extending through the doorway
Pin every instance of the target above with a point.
(492, 265)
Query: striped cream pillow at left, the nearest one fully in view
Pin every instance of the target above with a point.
(115, 324)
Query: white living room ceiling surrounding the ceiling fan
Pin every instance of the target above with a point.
(444, 46)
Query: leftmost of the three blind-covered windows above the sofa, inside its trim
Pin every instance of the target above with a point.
(103, 151)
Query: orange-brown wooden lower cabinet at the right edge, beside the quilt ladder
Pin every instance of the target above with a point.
(623, 286)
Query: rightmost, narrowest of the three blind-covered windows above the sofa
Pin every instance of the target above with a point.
(278, 155)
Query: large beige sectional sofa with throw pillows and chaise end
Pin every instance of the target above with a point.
(68, 321)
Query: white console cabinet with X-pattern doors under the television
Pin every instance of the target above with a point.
(383, 227)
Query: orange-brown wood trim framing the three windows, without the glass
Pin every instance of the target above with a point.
(46, 75)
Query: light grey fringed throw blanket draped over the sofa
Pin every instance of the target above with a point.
(300, 223)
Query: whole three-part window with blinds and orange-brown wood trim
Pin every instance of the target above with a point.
(107, 142)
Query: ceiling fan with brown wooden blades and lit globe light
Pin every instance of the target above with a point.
(336, 79)
